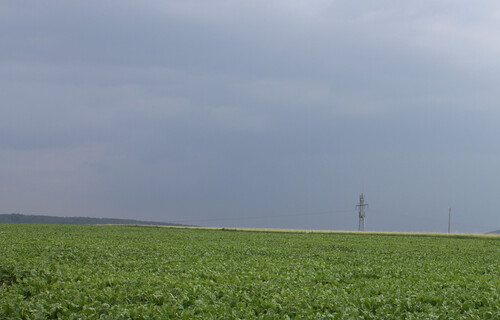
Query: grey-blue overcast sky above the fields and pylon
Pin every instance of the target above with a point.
(253, 113)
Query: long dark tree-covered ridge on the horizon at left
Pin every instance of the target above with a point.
(21, 218)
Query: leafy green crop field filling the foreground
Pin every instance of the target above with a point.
(124, 272)
